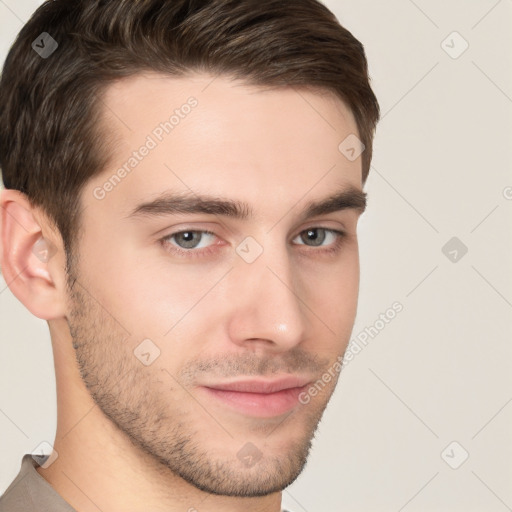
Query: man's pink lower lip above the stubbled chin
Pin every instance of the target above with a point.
(264, 405)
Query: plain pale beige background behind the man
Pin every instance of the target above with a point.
(440, 370)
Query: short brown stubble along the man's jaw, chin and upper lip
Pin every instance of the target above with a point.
(133, 399)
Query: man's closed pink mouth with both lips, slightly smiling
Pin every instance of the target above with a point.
(259, 397)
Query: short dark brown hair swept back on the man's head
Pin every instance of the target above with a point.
(50, 140)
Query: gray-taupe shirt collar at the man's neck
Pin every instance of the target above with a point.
(30, 492)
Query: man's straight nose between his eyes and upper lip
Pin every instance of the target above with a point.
(269, 312)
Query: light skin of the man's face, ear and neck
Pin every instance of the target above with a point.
(133, 437)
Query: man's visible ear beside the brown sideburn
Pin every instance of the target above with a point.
(31, 257)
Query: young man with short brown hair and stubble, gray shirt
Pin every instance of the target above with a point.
(183, 181)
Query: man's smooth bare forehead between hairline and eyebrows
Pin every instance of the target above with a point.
(204, 133)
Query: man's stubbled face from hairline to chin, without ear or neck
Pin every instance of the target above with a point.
(198, 346)
